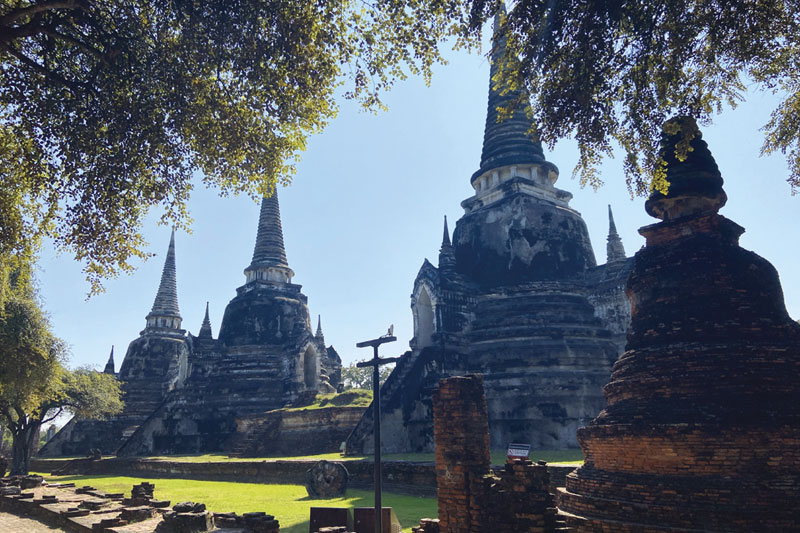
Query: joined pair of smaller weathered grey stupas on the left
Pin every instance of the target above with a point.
(183, 393)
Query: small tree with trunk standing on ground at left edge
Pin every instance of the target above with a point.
(35, 387)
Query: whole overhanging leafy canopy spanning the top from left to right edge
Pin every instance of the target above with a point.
(107, 109)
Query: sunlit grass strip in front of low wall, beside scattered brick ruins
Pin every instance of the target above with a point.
(289, 503)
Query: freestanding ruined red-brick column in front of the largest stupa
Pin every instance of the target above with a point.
(461, 434)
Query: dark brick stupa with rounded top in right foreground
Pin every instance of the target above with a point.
(702, 427)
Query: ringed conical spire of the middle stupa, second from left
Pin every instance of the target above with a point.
(269, 256)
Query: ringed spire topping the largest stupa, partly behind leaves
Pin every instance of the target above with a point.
(506, 142)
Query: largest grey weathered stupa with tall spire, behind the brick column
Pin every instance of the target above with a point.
(517, 296)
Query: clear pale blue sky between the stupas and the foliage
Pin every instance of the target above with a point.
(366, 208)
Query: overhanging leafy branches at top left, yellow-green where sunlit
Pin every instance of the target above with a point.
(107, 109)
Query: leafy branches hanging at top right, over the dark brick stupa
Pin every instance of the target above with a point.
(614, 72)
